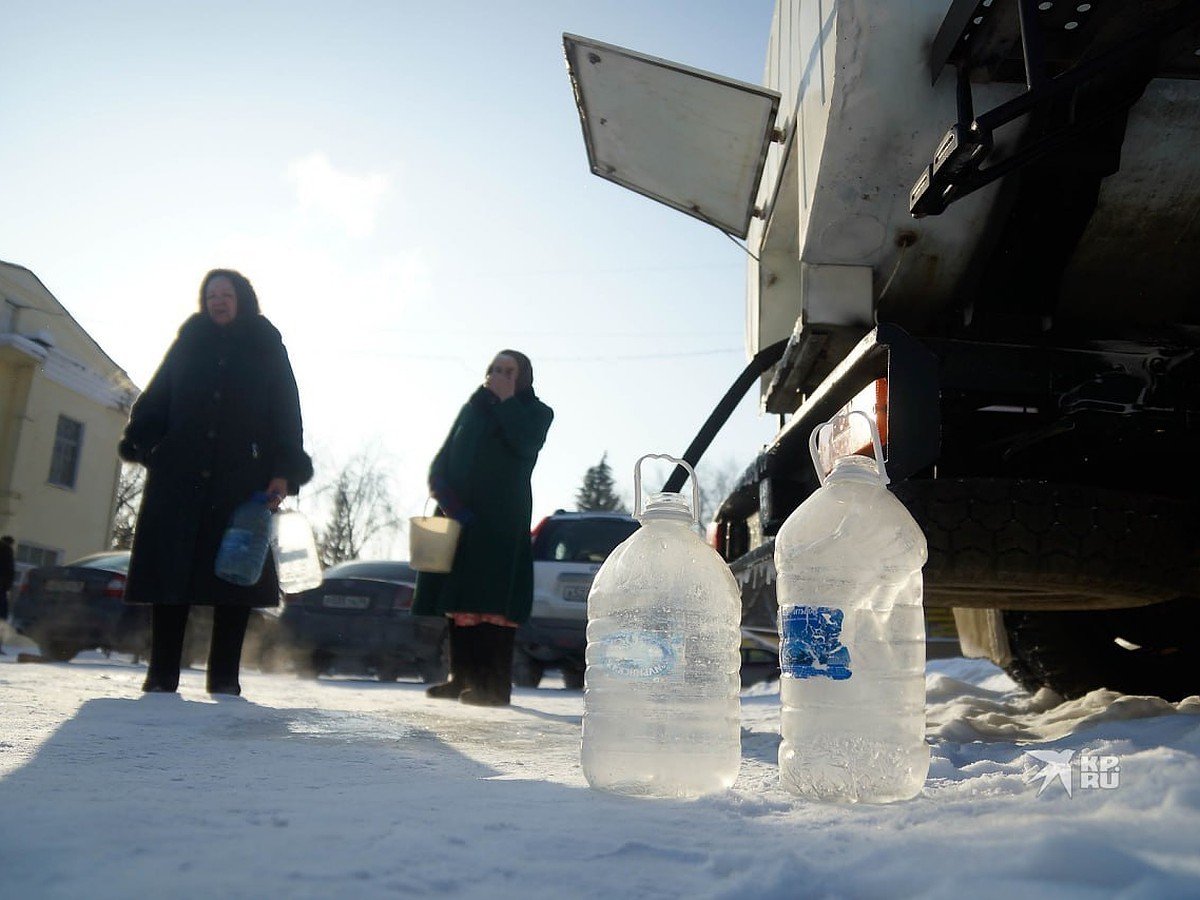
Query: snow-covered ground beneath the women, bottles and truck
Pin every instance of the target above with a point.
(355, 789)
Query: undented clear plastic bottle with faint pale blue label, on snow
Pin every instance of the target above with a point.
(662, 712)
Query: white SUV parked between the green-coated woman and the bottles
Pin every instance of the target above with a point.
(568, 550)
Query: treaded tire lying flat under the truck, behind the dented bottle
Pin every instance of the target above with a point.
(1039, 547)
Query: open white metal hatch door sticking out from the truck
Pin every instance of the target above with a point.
(688, 139)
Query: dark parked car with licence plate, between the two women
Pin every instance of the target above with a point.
(361, 622)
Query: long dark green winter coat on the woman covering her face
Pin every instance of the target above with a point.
(482, 478)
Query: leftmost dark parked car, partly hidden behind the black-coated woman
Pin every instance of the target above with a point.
(81, 607)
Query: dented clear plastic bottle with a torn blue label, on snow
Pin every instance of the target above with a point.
(853, 638)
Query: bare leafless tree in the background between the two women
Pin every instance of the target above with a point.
(362, 508)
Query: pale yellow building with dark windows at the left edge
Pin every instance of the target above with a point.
(63, 407)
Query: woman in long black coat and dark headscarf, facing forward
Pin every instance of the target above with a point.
(219, 423)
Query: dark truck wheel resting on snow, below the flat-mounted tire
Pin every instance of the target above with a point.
(1145, 651)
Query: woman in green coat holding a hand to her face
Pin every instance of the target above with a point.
(481, 478)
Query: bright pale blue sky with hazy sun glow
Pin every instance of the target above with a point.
(406, 185)
